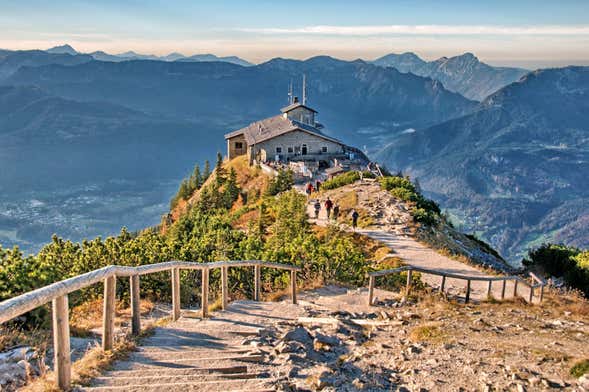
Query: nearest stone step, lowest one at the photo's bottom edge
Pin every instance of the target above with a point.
(202, 386)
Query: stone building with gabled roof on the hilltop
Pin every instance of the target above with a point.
(293, 135)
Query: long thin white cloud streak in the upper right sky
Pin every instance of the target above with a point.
(426, 30)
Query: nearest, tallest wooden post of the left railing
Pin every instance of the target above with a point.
(61, 342)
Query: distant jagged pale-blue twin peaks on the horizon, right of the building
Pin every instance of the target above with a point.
(464, 74)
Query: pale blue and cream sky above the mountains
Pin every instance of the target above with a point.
(525, 33)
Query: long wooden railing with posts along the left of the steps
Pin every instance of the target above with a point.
(58, 292)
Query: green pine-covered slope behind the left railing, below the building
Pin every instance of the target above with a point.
(229, 219)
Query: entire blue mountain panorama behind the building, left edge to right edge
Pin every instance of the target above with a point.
(89, 146)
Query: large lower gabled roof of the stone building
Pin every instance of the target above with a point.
(269, 128)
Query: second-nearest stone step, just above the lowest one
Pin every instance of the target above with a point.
(169, 379)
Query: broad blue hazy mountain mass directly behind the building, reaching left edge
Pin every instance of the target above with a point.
(90, 146)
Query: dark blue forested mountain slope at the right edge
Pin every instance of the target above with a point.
(515, 169)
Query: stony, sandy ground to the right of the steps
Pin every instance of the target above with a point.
(431, 344)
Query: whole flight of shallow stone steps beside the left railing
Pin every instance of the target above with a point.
(191, 354)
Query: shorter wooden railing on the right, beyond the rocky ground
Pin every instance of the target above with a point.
(468, 278)
